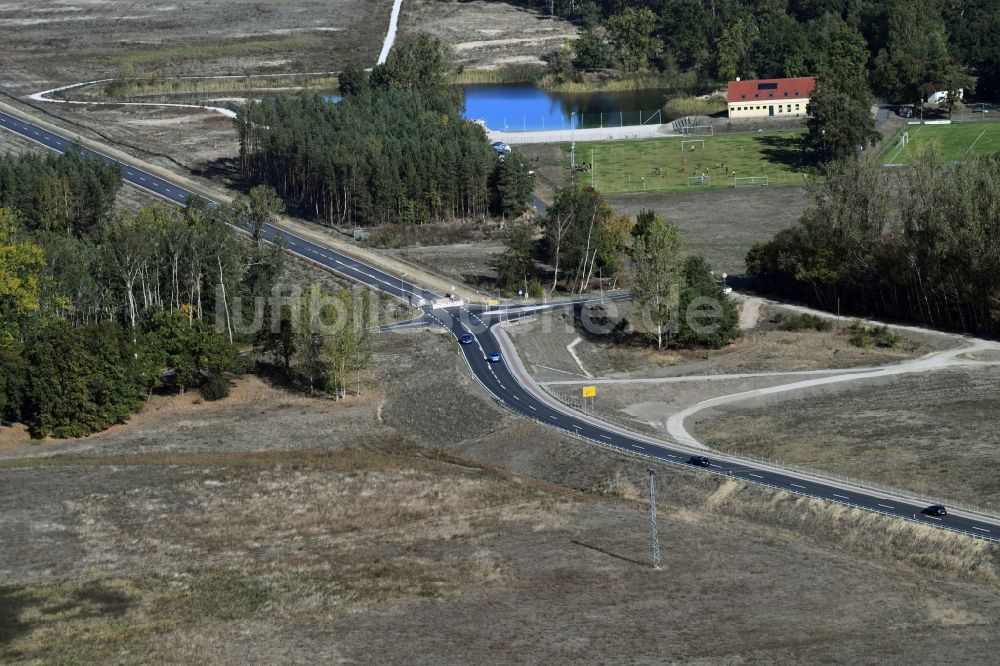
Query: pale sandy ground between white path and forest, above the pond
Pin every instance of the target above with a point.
(485, 35)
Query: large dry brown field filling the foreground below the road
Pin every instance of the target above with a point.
(272, 527)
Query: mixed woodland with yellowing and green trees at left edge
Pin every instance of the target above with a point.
(98, 308)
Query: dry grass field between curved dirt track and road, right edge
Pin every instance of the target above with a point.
(931, 434)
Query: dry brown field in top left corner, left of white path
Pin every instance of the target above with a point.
(221, 37)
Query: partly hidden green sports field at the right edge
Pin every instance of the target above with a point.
(956, 141)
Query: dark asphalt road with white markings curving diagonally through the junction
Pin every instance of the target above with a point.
(507, 383)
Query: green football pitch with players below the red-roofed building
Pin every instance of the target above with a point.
(692, 163)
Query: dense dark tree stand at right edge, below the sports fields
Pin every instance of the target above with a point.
(919, 245)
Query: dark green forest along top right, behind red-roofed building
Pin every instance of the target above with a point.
(908, 43)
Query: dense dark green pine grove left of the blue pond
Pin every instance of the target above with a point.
(395, 149)
